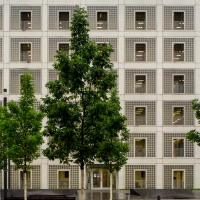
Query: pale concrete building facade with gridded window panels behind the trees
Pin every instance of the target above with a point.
(156, 46)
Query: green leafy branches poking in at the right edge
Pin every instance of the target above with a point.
(193, 135)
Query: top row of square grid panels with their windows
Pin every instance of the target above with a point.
(103, 17)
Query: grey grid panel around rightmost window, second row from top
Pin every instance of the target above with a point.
(188, 45)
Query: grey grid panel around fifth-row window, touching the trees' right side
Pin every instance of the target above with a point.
(151, 143)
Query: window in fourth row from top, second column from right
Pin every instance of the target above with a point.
(140, 116)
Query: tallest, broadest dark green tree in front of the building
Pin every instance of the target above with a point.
(76, 105)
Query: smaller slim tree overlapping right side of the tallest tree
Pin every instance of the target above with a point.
(113, 149)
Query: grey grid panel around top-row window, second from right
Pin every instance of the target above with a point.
(130, 18)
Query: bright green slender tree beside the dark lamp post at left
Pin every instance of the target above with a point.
(21, 124)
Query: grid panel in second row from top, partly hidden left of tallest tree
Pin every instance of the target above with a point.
(53, 47)
